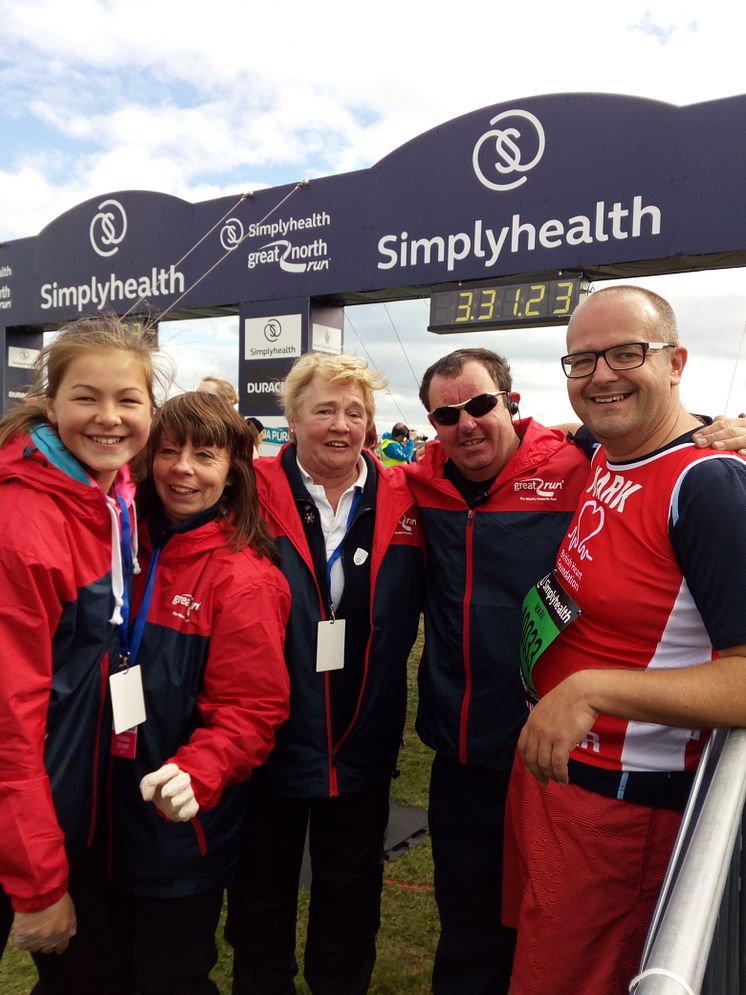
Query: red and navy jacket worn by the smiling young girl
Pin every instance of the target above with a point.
(57, 628)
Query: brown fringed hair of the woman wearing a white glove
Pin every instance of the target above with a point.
(206, 420)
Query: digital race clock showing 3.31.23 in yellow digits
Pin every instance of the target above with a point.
(486, 306)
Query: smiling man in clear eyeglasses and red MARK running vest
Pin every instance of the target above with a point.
(634, 645)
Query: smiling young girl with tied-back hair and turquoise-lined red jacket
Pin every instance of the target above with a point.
(64, 557)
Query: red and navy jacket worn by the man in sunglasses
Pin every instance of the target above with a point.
(481, 562)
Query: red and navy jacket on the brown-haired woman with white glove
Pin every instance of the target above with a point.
(216, 689)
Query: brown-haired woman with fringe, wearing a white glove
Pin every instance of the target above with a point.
(209, 613)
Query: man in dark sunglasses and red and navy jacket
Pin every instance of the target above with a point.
(496, 494)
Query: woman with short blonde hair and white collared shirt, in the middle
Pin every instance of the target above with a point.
(349, 541)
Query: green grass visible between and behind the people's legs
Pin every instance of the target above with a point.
(409, 919)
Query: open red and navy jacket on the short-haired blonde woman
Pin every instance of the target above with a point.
(345, 726)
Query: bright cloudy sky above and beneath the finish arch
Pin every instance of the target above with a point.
(208, 100)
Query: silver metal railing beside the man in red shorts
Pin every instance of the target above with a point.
(694, 944)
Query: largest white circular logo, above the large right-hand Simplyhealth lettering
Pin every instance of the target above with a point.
(504, 142)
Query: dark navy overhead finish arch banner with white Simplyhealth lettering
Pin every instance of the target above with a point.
(600, 183)
